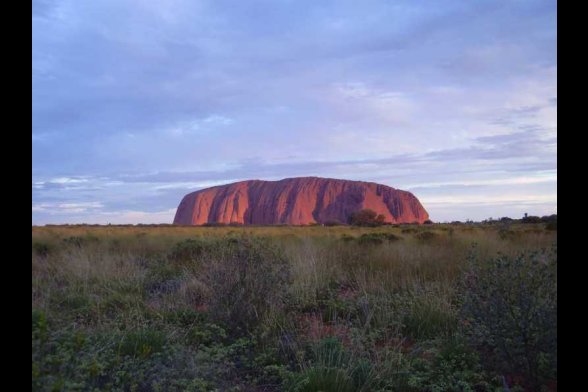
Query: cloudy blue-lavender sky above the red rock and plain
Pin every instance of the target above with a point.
(137, 103)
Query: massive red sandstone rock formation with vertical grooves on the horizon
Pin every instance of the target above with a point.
(296, 201)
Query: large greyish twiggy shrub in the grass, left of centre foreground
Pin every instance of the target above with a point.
(245, 280)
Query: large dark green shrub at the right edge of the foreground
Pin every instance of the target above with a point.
(509, 310)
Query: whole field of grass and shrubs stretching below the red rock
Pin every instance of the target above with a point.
(436, 307)
